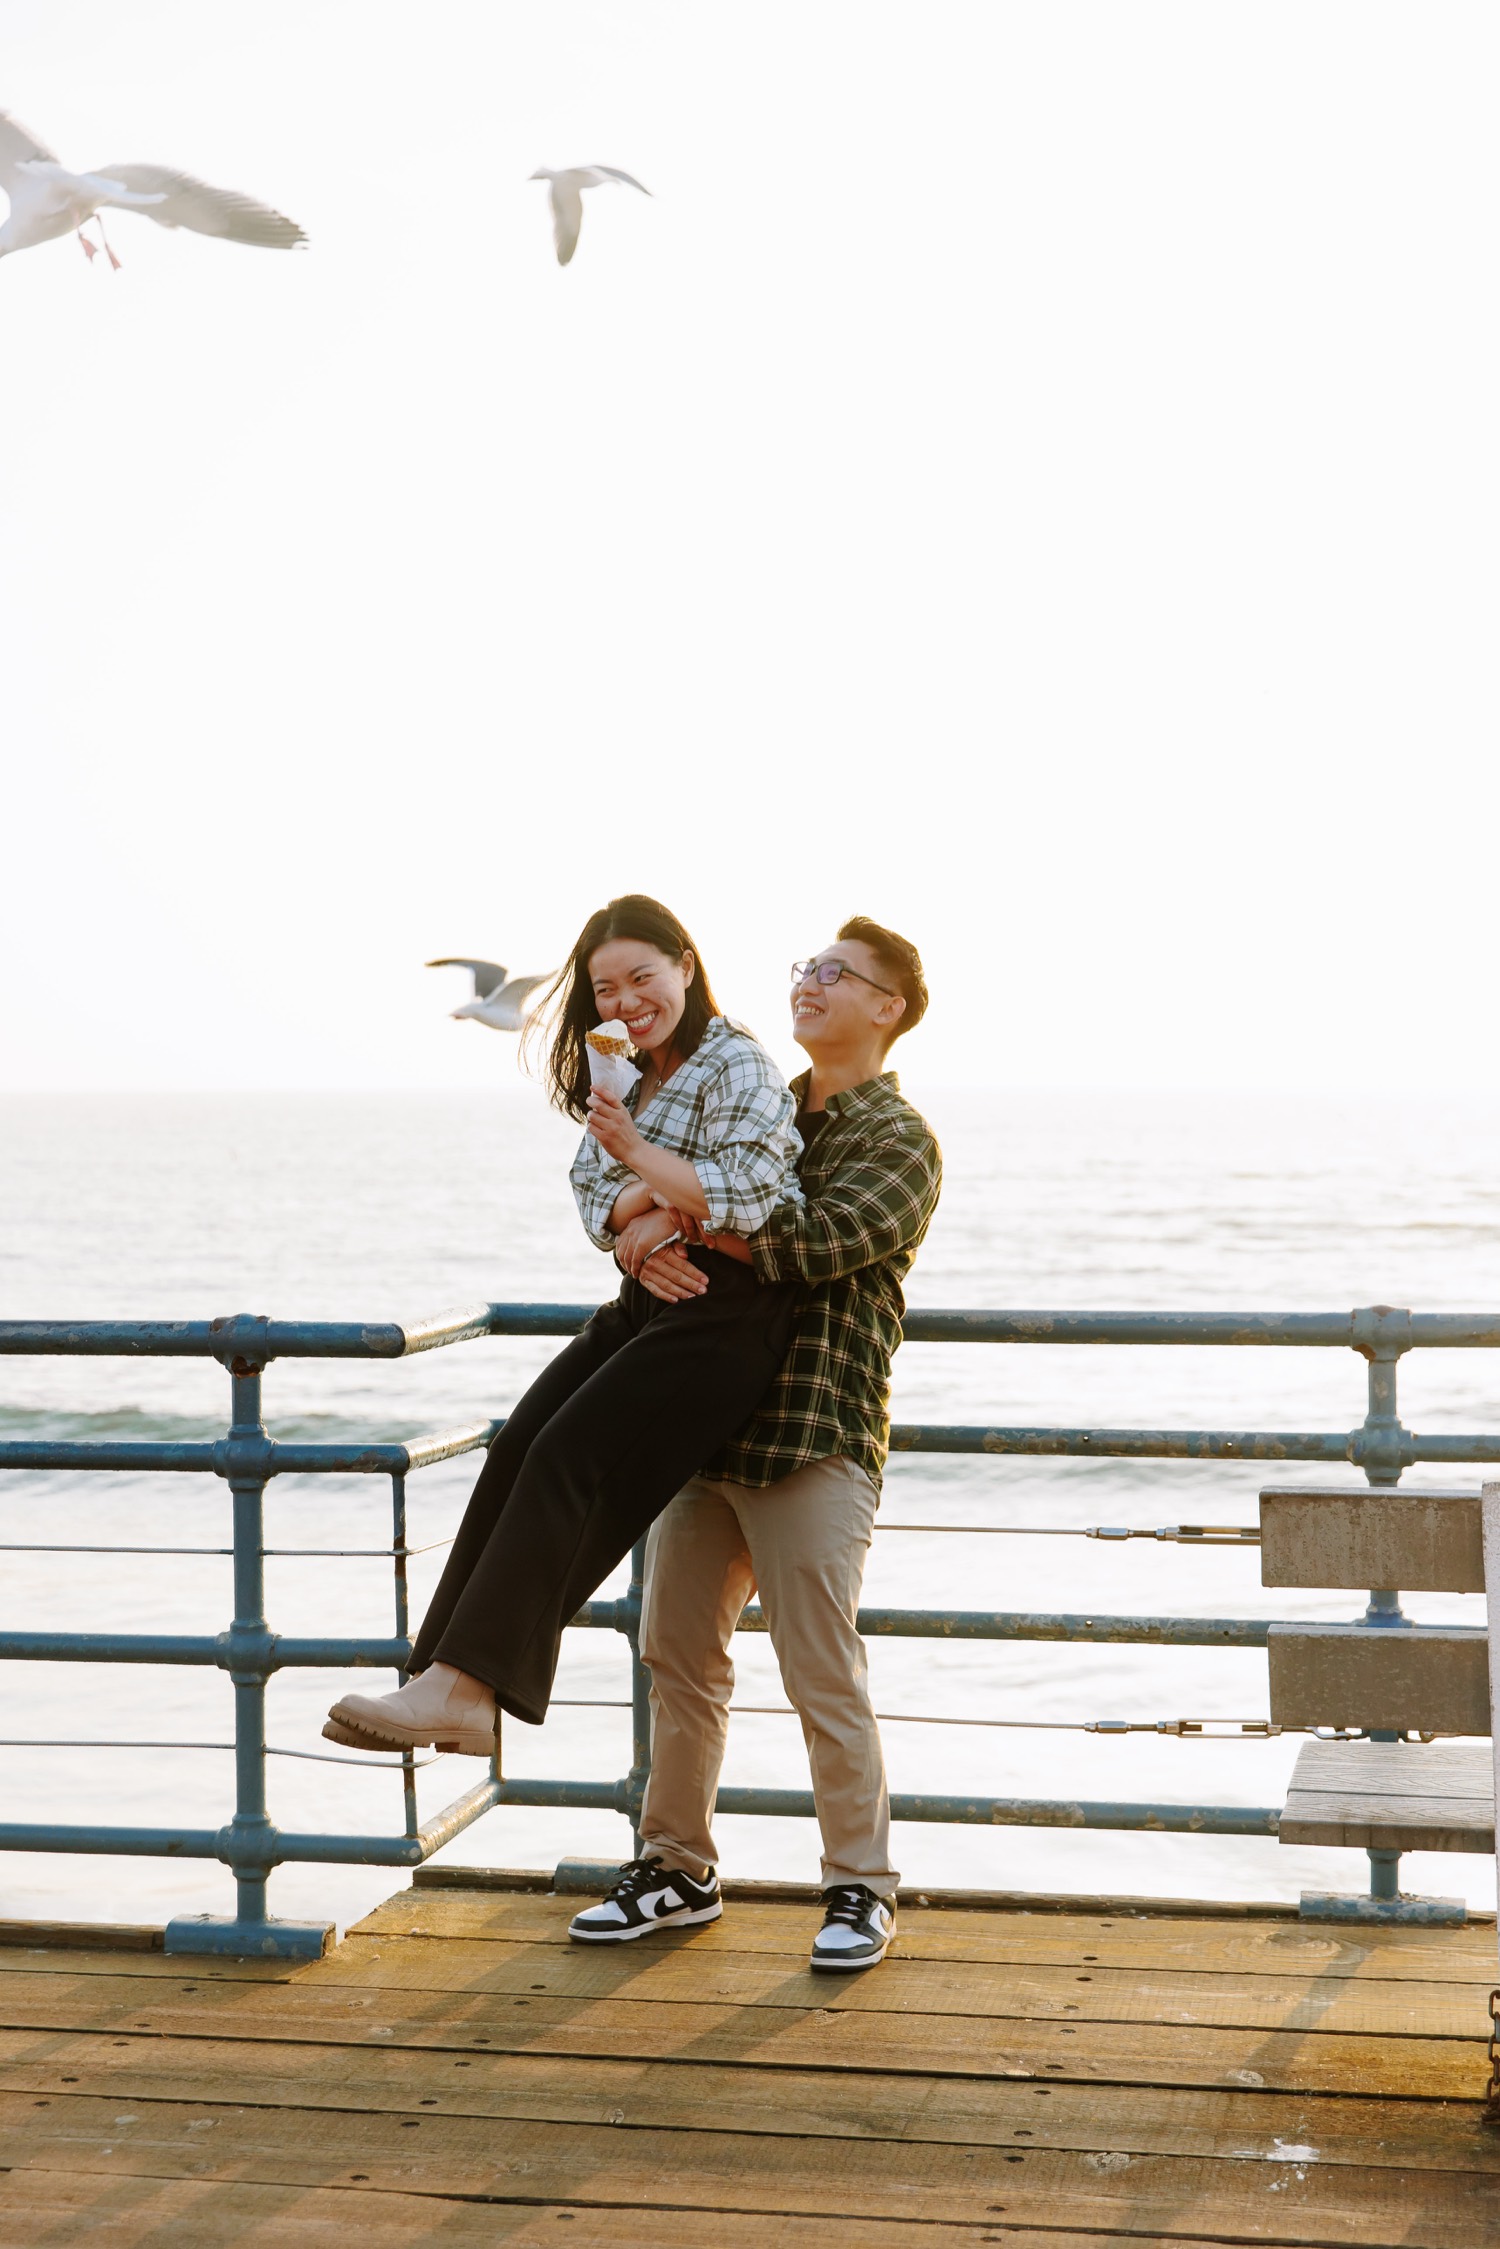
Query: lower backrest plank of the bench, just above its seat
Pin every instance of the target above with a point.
(1429, 1677)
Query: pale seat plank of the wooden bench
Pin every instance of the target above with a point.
(1436, 1796)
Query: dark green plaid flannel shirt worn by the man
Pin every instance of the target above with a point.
(871, 1184)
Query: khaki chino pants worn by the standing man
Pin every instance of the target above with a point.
(802, 1544)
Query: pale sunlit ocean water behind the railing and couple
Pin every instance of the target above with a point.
(395, 1207)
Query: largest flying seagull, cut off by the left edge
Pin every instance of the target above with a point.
(51, 201)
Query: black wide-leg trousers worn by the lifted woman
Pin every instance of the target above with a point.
(593, 1454)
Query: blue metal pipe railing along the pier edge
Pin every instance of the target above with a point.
(251, 1652)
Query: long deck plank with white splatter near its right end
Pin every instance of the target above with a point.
(1402, 2135)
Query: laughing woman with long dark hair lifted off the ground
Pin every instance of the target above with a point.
(649, 1391)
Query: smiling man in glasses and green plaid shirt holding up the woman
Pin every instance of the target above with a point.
(790, 1503)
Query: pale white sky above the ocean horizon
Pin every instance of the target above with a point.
(1029, 473)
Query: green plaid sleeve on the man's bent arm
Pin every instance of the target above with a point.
(874, 1207)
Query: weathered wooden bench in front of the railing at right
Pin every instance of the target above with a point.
(1389, 1679)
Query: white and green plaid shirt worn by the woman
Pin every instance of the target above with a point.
(732, 1114)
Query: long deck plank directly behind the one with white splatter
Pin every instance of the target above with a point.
(775, 2039)
